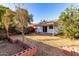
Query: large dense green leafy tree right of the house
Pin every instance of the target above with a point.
(69, 20)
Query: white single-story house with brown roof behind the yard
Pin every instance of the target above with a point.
(50, 27)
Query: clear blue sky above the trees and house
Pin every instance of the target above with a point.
(40, 11)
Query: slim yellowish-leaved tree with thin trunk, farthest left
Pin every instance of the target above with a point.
(6, 20)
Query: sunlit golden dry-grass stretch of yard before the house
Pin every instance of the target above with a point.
(55, 41)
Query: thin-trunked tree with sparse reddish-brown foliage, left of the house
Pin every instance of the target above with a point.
(22, 17)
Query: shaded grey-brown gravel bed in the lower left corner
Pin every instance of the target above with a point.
(8, 49)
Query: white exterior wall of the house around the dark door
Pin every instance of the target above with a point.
(50, 31)
